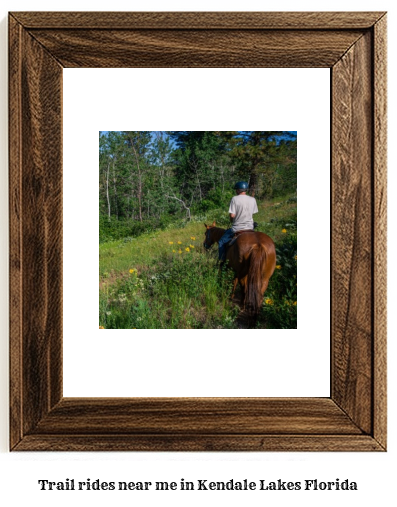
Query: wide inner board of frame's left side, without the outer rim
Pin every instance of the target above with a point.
(41, 87)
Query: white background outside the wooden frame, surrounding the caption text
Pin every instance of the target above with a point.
(19, 473)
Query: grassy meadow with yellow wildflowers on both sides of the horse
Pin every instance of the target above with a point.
(165, 279)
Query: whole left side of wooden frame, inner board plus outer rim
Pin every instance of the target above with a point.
(36, 241)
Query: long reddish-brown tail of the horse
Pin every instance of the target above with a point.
(253, 289)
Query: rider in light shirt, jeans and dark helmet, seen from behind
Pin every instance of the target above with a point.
(241, 209)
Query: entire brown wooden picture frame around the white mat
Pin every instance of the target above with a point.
(353, 46)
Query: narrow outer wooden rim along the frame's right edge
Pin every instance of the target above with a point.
(380, 229)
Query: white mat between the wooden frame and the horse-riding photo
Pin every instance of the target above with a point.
(260, 363)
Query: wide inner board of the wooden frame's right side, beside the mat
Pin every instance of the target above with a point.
(352, 232)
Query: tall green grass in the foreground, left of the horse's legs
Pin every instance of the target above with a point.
(182, 290)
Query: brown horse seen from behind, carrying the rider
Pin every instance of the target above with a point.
(253, 260)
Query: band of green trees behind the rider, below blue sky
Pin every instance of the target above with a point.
(152, 175)
